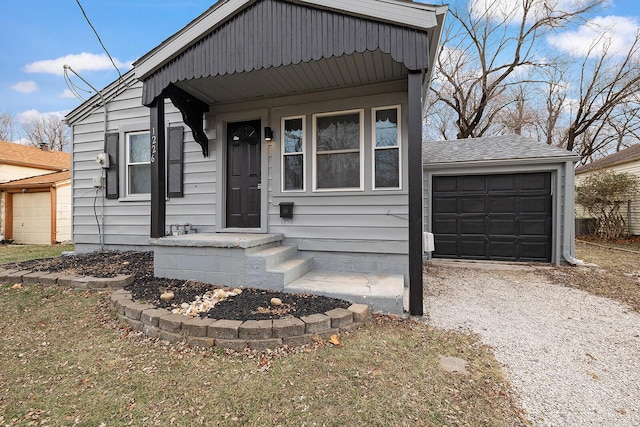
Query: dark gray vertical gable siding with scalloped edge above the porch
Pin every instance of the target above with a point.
(256, 39)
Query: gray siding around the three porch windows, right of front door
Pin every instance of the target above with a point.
(374, 221)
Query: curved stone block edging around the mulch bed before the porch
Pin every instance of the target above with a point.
(235, 334)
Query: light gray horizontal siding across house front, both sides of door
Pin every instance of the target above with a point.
(335, 221)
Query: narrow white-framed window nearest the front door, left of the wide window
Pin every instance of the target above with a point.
(293, 147)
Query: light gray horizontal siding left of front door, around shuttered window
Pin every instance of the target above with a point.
(127, 220)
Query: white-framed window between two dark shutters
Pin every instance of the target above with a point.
(138, 163)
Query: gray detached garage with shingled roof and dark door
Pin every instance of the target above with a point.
(504, 198)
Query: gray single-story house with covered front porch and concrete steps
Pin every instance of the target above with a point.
(269, 143)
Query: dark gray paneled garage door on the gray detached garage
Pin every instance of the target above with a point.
(493, 217)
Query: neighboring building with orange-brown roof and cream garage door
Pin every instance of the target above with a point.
(35, 194)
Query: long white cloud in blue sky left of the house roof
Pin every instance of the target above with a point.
(79, 62)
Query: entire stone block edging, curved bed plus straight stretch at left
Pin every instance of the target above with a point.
(233, 334)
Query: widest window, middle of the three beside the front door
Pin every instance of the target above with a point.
(338, 139)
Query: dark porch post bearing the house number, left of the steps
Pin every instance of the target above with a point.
(158, 202)
